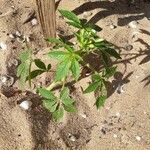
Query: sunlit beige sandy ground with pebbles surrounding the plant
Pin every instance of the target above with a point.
(124, 122)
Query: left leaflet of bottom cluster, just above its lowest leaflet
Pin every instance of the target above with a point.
(51, 105)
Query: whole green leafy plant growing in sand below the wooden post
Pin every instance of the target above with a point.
(72, 59)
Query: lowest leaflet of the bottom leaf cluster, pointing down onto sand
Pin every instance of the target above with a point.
(58, 114)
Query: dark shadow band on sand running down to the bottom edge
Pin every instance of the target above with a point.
(41, 122)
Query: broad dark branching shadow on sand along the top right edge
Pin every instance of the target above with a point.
(137, 10)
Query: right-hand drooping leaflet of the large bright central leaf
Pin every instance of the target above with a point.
(75, 68)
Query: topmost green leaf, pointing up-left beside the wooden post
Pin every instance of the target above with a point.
(69, 15)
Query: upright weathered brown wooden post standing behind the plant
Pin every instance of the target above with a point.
(47, 17)
